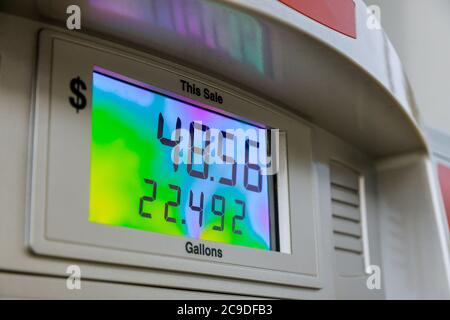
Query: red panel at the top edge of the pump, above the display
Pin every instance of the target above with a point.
(338, 15)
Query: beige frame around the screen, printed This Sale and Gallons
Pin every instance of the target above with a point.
(59, 226)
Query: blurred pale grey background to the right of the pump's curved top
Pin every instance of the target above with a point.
(420, 32)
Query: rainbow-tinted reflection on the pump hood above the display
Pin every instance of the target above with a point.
(216, 26)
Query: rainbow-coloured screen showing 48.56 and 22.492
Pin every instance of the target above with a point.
(153, 167)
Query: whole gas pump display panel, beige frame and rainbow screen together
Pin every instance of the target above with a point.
(154, 165)
